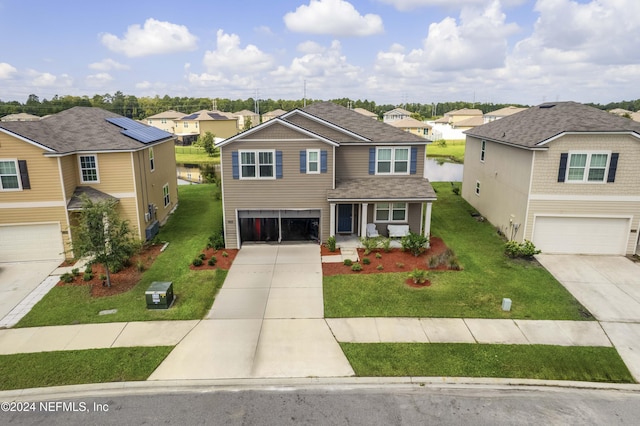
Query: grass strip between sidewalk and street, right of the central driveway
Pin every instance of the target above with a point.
(591, 364)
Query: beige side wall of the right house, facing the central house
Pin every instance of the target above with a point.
(504, 178)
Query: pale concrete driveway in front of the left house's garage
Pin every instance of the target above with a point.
(19, 279)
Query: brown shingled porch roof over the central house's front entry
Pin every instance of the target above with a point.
(387, 188)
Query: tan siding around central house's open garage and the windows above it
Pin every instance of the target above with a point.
(294, 191)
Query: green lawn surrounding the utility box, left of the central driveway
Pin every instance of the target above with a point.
(199, 215)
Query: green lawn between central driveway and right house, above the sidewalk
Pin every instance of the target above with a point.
(475, 292)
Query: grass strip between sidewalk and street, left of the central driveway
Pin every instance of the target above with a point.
(22, 371)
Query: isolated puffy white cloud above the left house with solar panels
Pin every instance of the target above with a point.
(156, 37)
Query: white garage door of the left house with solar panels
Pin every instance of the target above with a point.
(30, 242)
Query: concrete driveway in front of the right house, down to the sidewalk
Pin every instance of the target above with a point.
(608, 286)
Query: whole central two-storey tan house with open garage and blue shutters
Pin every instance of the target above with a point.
(322, 171)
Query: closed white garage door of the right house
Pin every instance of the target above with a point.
(581, 235)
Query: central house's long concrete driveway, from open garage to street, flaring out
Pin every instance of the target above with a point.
(266, 321)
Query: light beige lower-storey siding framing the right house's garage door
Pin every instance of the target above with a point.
(611, 207)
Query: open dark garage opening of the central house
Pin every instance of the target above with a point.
(279, 225)
